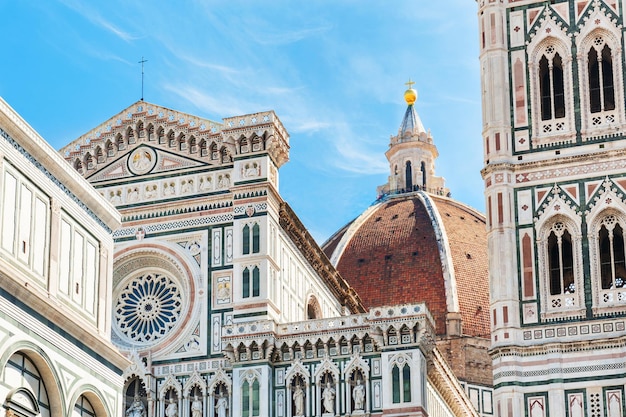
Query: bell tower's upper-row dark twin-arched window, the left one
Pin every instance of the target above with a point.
(551, 85)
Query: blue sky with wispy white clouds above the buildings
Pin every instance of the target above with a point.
(333, 71)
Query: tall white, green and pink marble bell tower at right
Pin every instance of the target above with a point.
(555, 190)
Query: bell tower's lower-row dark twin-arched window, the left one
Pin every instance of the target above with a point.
(561, 260)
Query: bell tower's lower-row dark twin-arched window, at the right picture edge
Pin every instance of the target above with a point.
(612, 254)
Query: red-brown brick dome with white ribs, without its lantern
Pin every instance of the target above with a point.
(419, 247)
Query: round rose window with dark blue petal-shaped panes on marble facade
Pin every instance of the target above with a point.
(148, 308)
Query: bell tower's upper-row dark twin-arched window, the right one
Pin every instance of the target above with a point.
(601, 86)
